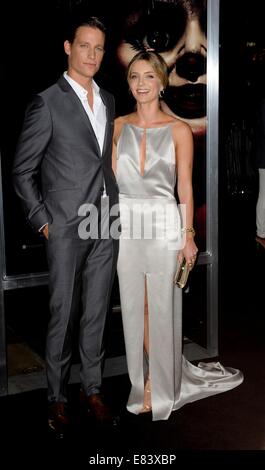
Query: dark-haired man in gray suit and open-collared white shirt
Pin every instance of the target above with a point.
(66, 140)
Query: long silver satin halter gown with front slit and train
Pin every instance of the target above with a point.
(148, 257)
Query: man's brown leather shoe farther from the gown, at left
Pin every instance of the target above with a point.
(58, 419)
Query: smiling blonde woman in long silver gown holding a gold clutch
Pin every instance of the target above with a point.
(152, 153)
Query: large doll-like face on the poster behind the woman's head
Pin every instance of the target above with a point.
(180, 37)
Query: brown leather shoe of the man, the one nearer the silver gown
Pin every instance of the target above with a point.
(98, 409)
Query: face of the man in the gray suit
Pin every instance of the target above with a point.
(86, 52)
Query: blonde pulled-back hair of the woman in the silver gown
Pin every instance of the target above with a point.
(157, 62)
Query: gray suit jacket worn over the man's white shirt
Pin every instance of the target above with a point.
(58, 164)
